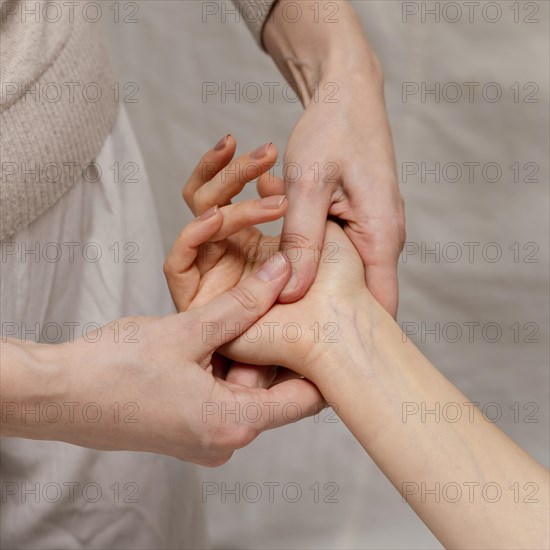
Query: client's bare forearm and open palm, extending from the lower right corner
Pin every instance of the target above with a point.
(371, 374)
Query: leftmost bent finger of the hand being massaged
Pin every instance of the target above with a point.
(179, 267)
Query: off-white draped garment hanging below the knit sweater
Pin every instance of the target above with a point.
(59, 496)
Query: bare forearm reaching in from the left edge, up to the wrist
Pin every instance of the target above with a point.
(62, 392)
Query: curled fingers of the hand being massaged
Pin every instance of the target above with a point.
(231, 246)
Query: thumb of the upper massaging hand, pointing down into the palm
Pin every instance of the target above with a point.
(303, 235)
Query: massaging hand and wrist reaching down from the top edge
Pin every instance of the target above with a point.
(344, 132)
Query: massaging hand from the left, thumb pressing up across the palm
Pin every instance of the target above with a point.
(160, 373)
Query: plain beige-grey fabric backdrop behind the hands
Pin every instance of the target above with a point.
(170, 52)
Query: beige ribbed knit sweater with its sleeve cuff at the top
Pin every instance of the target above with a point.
(57, 101)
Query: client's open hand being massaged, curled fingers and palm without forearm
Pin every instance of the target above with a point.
(203, 264)
